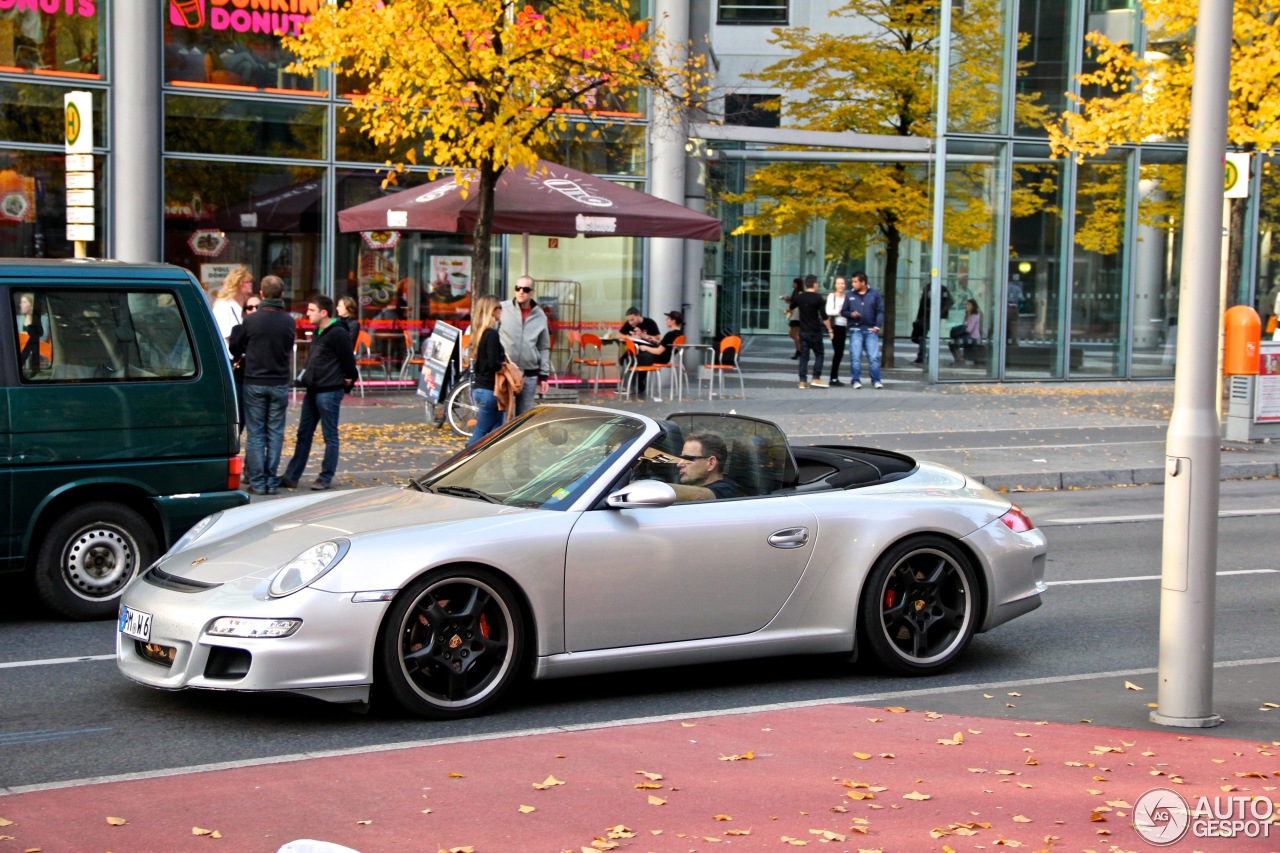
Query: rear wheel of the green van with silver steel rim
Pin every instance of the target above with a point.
(89, 556)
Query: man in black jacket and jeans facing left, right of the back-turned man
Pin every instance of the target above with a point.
(330, 375)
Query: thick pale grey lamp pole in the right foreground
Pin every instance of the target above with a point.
(1194, 455)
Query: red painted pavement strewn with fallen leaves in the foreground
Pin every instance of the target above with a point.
(844, 778)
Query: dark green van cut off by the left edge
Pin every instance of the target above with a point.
(117, 425)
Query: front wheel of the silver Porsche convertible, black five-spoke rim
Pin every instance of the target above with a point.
(451, 645)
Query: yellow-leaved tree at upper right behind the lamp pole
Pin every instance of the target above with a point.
(1146, 98)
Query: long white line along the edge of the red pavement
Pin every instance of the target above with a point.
(863, 699)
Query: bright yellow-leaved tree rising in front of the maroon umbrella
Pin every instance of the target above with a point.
(484, 86)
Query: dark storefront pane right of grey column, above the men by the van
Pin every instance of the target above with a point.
(221, 216)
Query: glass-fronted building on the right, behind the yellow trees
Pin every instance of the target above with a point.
(1075, 267)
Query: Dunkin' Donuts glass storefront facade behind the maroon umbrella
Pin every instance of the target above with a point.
(258, 161)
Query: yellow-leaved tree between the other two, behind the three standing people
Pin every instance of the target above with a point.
(883, 80)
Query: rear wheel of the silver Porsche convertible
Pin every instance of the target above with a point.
(920, 608)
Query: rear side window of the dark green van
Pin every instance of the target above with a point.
(102, 336)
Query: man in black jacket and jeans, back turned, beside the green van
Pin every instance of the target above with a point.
(266, 343)
